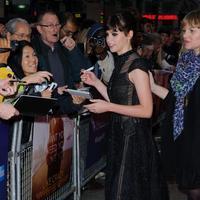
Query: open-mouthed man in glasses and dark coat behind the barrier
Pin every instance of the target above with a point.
(61, 57)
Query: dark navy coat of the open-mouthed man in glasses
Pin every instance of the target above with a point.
(72, 62)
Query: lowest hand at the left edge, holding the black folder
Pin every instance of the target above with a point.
(7, 111)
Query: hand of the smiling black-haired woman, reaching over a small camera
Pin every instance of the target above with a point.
(38, 77)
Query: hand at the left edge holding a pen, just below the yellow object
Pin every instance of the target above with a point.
(6, 88)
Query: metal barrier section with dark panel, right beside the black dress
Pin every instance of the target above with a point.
(91, 136)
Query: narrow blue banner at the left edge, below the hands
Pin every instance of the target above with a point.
(3, 159)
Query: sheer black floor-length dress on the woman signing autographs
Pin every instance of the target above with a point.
(133, 170)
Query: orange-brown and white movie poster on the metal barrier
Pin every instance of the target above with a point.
(52, 155)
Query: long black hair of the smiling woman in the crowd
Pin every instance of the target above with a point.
(15, 58)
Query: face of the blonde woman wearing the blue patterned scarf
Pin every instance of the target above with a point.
(191, 37)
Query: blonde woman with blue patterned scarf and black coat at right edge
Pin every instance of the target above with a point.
(183, 118)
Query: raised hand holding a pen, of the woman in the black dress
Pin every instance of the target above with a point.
(88, 78)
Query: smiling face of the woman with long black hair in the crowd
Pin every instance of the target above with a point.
(29, 61)
